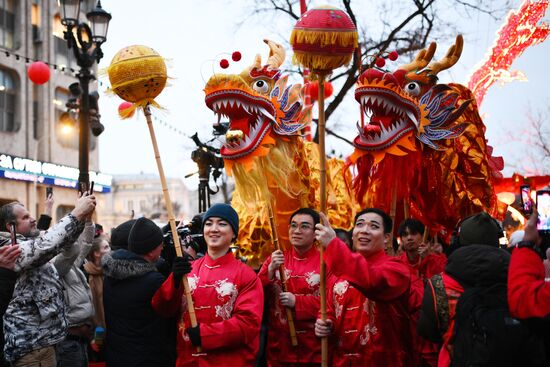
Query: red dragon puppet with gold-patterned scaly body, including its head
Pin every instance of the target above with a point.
(423, 148)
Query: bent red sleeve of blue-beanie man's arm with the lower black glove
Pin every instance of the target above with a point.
(245, 321)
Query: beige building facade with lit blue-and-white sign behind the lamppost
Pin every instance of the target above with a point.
(36, 150)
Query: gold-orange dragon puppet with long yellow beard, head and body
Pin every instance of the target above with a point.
(269, 160)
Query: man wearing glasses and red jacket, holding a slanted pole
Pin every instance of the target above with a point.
(301, 266)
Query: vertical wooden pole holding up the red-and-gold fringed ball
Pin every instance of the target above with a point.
(323, 204)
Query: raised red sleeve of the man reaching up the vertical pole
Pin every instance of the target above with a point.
(383, 281)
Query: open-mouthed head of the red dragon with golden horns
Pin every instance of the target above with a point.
(408, 105)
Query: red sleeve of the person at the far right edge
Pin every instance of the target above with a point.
(528, 293)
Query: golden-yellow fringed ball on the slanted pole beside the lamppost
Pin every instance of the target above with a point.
(137, 75)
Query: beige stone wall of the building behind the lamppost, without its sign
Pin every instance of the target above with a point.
(36, 106)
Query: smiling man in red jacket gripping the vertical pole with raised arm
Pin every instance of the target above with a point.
(393, 292)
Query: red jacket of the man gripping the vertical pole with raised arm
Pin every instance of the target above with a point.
(395, 295)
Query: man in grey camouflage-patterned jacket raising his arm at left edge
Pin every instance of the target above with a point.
(32, 293)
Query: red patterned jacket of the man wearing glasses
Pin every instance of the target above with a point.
(302, 272)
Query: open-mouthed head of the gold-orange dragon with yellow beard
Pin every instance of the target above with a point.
(258, 103)
